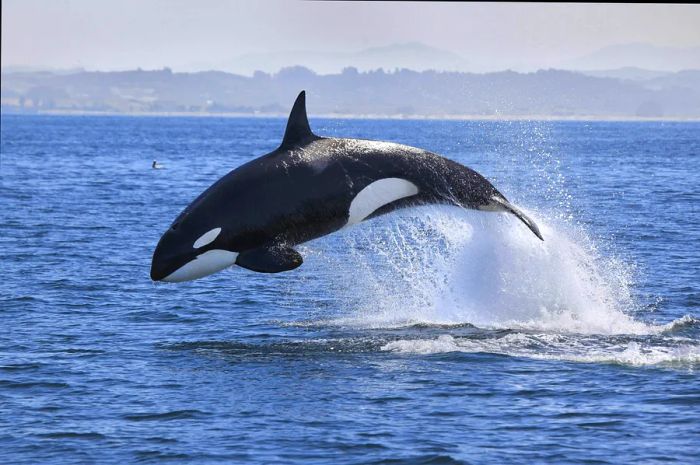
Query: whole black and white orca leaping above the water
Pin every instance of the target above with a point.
(310, 186)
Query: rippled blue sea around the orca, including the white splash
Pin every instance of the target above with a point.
(432, 335)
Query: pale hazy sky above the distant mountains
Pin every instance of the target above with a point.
(126, 34)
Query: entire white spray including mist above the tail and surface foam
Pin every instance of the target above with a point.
(563, 298)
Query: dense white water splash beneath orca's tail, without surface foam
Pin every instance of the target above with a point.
(442, 265)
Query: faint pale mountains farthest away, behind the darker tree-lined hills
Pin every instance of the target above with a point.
(619, 61)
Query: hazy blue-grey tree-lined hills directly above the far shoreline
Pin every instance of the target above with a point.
(550, 93)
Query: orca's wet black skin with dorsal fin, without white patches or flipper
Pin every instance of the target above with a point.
(303, 190)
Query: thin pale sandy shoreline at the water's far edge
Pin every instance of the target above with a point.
(174, 114)
